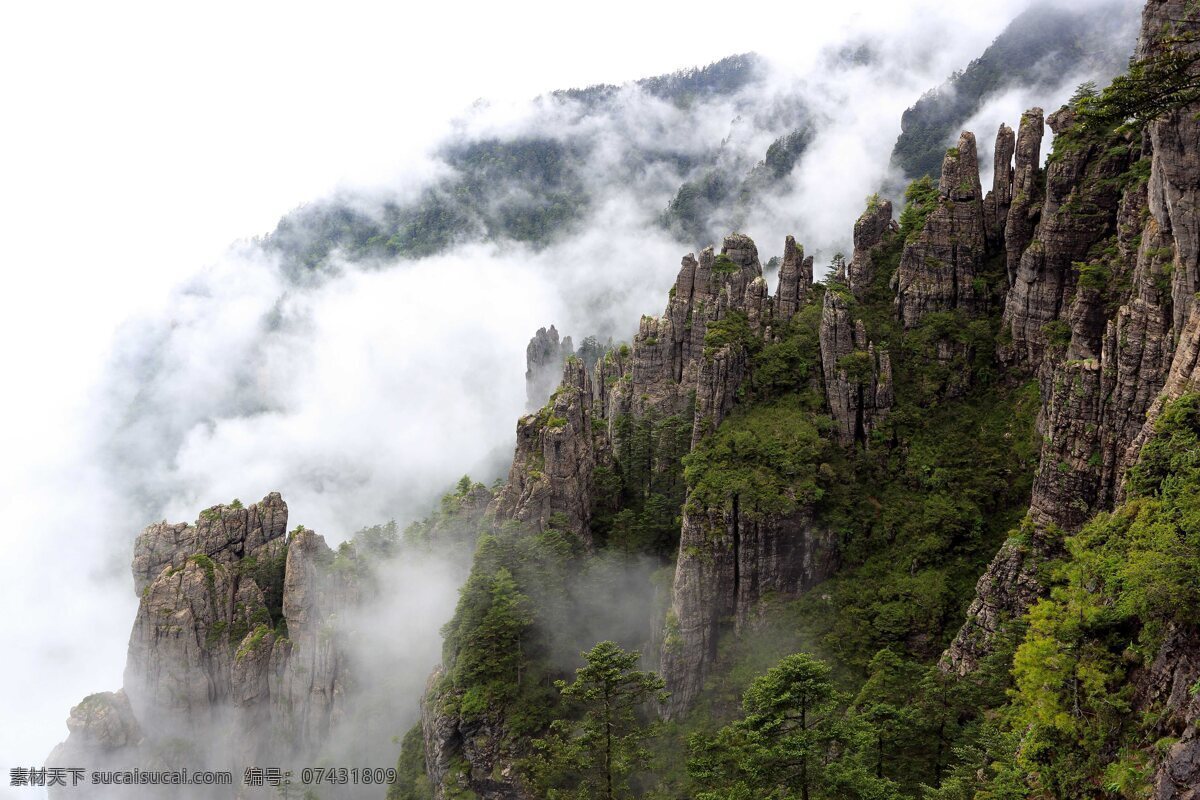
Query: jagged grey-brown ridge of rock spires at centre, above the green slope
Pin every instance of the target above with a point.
(669, 371)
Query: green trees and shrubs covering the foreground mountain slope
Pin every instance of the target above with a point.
(836, 693)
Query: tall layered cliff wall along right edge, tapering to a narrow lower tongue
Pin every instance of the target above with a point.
(1095, 311)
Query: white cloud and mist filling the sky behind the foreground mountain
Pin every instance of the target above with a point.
(142, 139)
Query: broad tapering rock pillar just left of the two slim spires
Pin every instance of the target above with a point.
(939, 268)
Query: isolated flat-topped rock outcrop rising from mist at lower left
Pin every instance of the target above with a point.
(236, 649)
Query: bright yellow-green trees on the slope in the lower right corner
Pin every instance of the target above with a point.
(1130, 578)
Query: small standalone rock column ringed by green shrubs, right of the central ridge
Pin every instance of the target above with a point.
(857, 380)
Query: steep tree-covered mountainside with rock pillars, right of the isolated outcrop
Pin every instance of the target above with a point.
(975, 387)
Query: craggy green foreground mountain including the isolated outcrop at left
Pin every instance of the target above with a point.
(923, 528)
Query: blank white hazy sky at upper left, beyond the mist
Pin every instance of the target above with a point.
(137, 141)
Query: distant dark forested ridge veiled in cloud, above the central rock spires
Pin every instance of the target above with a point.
(538, 187)
